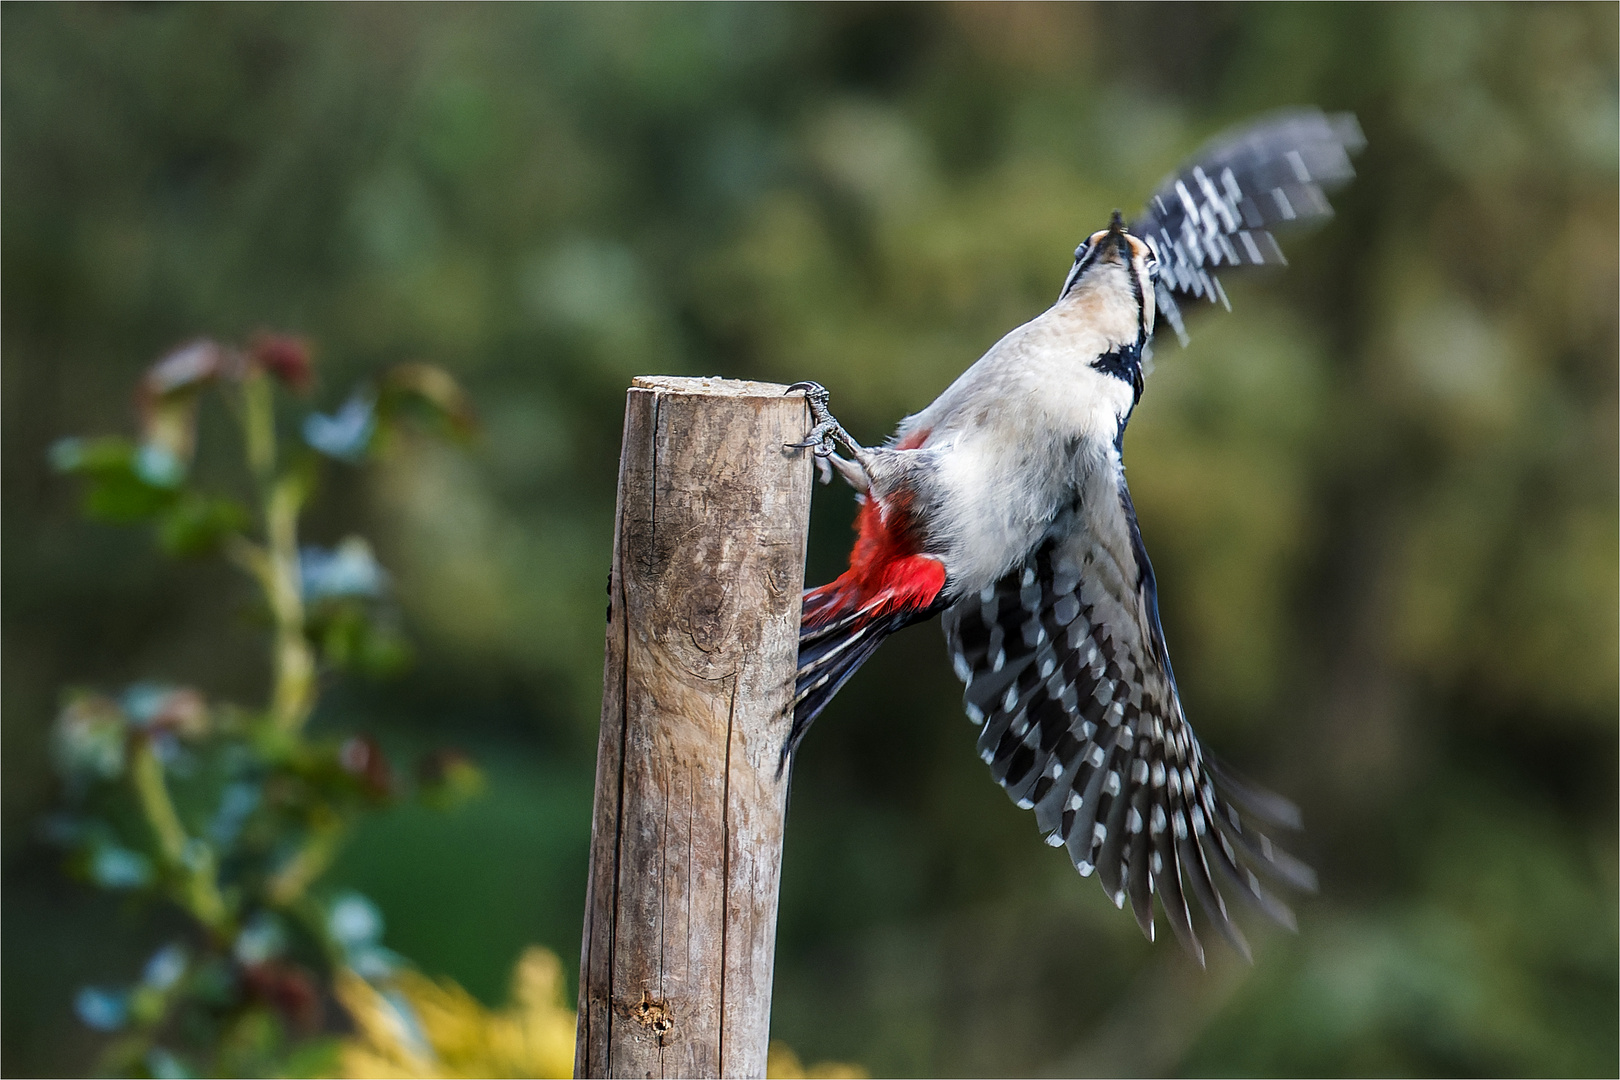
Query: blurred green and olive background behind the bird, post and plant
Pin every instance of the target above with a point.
(1381, 495)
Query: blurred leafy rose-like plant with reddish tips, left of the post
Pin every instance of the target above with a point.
(232, 814)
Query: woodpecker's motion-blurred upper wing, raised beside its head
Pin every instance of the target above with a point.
(1221, 210)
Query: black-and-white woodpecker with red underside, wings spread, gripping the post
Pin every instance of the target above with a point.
(1004, 508)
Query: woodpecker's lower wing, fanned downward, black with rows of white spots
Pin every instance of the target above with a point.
(1067, 674)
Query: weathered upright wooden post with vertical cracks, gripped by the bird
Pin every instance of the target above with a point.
(702, 648)
